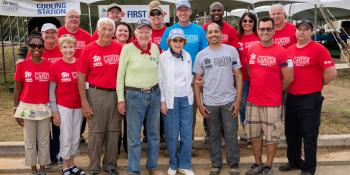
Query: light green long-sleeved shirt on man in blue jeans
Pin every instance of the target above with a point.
(136, 70)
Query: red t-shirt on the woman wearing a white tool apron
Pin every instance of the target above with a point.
(35, 81)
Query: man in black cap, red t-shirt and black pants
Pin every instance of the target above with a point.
(313, 68)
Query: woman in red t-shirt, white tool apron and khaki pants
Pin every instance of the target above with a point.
(31, 108)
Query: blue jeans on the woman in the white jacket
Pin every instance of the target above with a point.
(179, 121)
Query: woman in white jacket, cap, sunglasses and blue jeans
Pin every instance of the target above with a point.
(175, 77)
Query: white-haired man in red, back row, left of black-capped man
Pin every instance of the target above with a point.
(284, 31)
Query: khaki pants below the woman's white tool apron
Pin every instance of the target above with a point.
(37, 141)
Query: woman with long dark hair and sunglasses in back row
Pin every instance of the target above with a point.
(247, 38)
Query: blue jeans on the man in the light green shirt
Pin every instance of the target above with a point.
(140, 107)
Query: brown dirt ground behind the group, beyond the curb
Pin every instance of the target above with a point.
(335, 113)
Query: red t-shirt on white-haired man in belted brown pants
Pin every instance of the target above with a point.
(100, 64)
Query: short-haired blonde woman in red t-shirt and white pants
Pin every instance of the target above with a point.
(65, 103)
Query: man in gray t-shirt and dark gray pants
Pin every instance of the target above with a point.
(222, 94)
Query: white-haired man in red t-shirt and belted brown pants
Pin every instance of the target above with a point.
(98, 67)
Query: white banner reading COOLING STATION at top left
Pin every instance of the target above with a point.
(37, 8)
